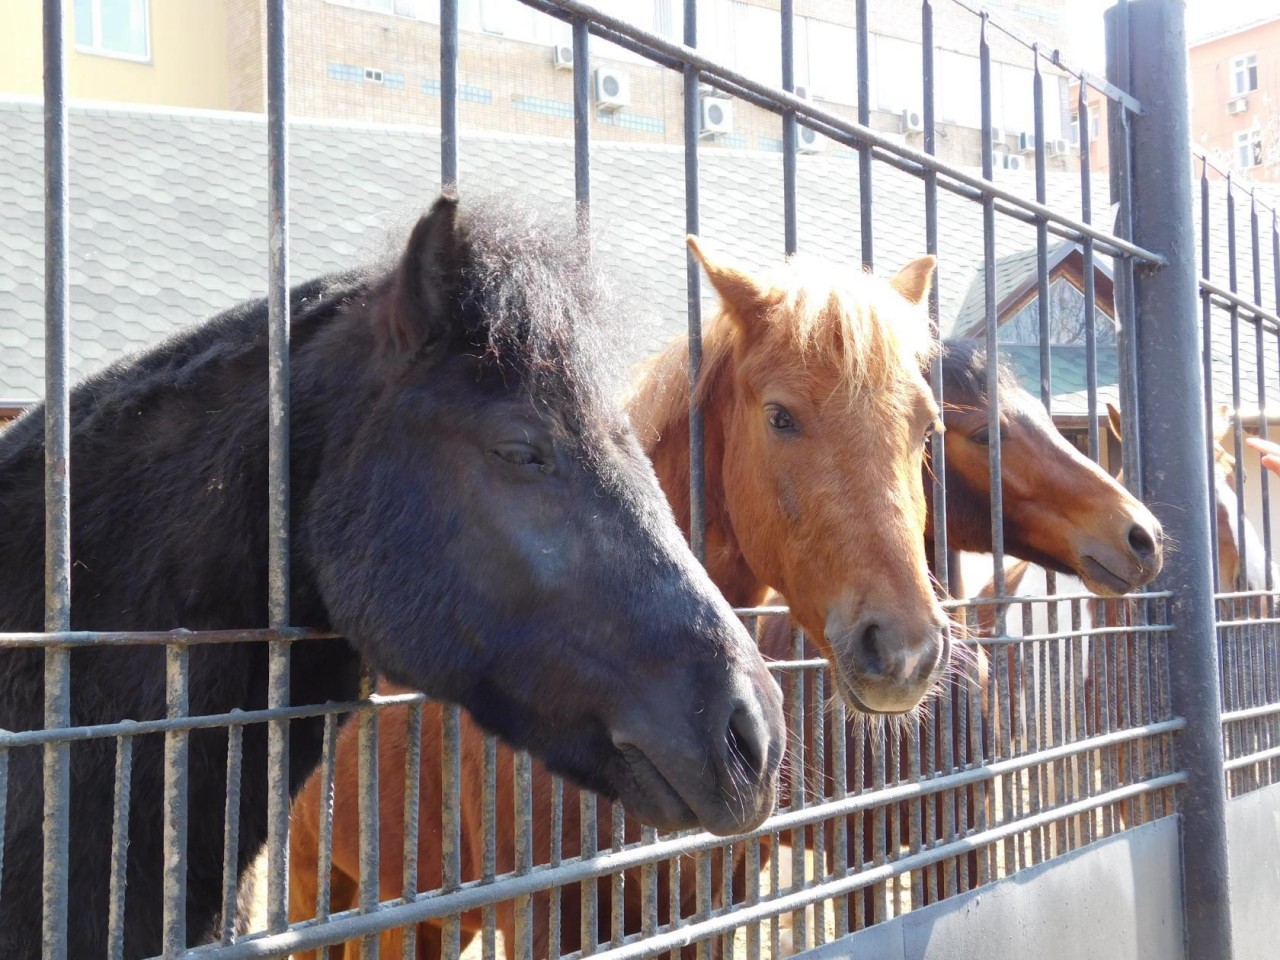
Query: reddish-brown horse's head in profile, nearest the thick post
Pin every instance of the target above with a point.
(1060, 510)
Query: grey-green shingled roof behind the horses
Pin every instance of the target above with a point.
(170, 218)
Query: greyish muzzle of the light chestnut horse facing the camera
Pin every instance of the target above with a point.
(886, 666)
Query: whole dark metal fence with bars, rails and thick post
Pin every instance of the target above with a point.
(1084, 730)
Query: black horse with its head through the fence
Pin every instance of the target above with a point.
(468, 509)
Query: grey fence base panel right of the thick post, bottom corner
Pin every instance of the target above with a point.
(1254, 843)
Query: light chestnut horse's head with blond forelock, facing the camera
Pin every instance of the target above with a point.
(824, 428)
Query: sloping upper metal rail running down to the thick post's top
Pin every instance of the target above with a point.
(779, 100)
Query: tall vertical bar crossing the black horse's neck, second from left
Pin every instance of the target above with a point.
(278, 465)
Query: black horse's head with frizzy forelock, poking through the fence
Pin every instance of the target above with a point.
(487, 529)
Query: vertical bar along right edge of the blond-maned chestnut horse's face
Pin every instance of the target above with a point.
(938, 445)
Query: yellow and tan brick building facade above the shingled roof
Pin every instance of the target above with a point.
(377, 62)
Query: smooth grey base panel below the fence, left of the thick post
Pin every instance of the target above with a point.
(1119, 898)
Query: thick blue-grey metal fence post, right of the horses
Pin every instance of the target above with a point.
(1176, 478)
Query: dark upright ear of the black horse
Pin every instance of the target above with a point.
(422, 303)
